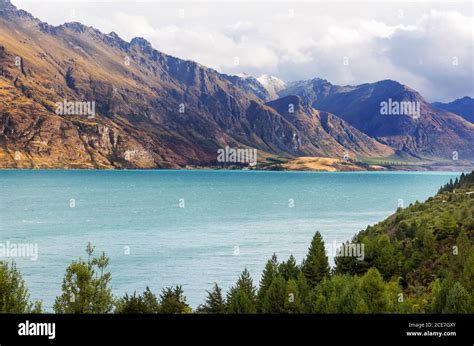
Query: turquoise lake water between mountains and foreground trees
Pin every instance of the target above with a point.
(230, 220)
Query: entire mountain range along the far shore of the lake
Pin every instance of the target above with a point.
(153, 110)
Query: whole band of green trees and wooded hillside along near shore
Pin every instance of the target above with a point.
(419, 260)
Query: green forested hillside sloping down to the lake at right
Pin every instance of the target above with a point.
(419, 244)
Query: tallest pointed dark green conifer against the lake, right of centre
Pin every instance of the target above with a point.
(316, 265)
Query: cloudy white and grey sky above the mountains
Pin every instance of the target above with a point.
(427, 45)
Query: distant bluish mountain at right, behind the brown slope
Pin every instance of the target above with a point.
(432, 134)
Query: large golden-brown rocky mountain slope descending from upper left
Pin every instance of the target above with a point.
(151, 109)
